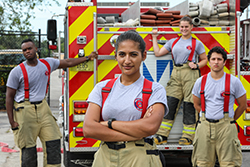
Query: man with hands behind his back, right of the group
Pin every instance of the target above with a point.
(214, 95)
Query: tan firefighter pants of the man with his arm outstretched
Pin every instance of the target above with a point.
(36, 120)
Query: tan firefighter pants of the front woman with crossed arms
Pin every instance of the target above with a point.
(133, 155)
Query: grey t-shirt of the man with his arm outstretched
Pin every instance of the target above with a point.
(37, 76)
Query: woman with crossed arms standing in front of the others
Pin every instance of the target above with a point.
(119, 121)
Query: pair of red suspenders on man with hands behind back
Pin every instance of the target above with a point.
(227, 93)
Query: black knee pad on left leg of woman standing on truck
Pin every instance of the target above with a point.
(172, 106)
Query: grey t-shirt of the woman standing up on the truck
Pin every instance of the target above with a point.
(183, 48)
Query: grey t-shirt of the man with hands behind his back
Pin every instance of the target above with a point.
(214, 100)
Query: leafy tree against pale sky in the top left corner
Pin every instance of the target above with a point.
(16, 14)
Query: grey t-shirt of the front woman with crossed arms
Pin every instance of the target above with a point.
(123, 102)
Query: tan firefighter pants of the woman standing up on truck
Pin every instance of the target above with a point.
(180, 87)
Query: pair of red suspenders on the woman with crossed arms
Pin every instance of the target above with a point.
(146, 93)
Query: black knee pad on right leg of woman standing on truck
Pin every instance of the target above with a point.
(189, 113)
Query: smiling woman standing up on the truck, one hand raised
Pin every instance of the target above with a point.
(179, 88)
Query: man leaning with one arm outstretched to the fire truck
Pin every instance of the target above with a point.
(28, 112)
